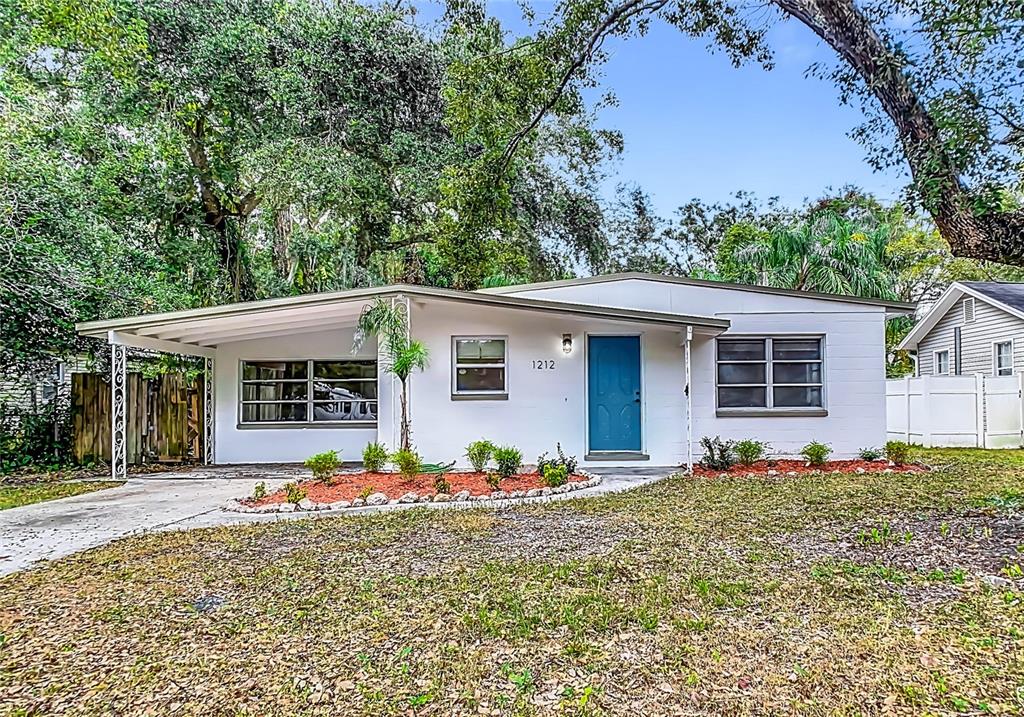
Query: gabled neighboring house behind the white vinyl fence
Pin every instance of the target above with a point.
(974, 328)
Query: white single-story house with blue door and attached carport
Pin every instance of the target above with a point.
(618, 369)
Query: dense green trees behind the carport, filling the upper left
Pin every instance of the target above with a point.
(165, 154)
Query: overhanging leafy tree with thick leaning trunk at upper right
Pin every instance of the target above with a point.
(941, 83)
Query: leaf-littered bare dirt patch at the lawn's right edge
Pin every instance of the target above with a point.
(978, 543)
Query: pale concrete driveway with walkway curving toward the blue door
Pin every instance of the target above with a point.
(182, 501)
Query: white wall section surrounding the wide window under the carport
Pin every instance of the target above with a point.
(275, 444)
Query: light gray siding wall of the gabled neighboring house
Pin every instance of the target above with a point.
(990, 325)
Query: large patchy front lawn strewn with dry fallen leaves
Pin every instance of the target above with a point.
(856, 596)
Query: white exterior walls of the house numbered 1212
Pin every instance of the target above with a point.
(549, 406)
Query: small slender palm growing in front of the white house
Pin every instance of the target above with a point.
(402, 355)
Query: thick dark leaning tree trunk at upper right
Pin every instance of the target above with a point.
(995, 236)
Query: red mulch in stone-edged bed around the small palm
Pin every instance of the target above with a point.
(346, 487)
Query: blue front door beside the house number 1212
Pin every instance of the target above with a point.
(614, 387)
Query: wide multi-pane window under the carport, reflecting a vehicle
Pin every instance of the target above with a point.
(309, 392)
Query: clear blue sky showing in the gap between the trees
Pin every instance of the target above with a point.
(696, 126)
